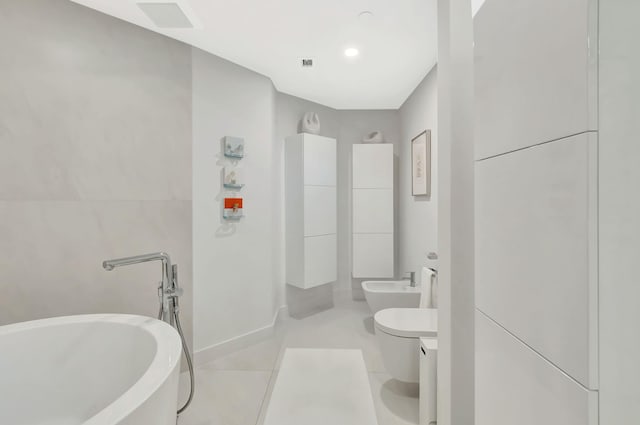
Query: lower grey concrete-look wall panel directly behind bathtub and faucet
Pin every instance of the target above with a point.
(52, 252)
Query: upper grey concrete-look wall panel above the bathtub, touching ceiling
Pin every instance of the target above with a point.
(93, 108)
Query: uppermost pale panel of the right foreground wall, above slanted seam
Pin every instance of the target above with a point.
(535, 72)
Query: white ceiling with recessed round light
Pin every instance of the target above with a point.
(397, 45)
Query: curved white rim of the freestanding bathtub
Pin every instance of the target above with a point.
(154, 376)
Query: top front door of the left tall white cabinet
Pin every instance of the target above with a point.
(319, 161)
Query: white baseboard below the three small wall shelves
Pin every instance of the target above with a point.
(223, 348)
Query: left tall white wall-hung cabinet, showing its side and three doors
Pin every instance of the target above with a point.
(310, 210)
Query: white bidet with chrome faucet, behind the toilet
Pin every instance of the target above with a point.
(381, 294)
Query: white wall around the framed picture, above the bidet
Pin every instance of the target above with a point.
(418, 215)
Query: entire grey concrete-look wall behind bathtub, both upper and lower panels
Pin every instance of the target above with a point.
(95, 133)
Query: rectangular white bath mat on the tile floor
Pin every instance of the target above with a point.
(321, 387)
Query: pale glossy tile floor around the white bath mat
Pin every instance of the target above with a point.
(235, 389)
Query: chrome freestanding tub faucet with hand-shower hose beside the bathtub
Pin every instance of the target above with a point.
(168, 294)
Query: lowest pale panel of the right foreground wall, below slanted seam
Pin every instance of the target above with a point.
(514, 385)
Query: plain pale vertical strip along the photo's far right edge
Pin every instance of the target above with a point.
(619, 233)
